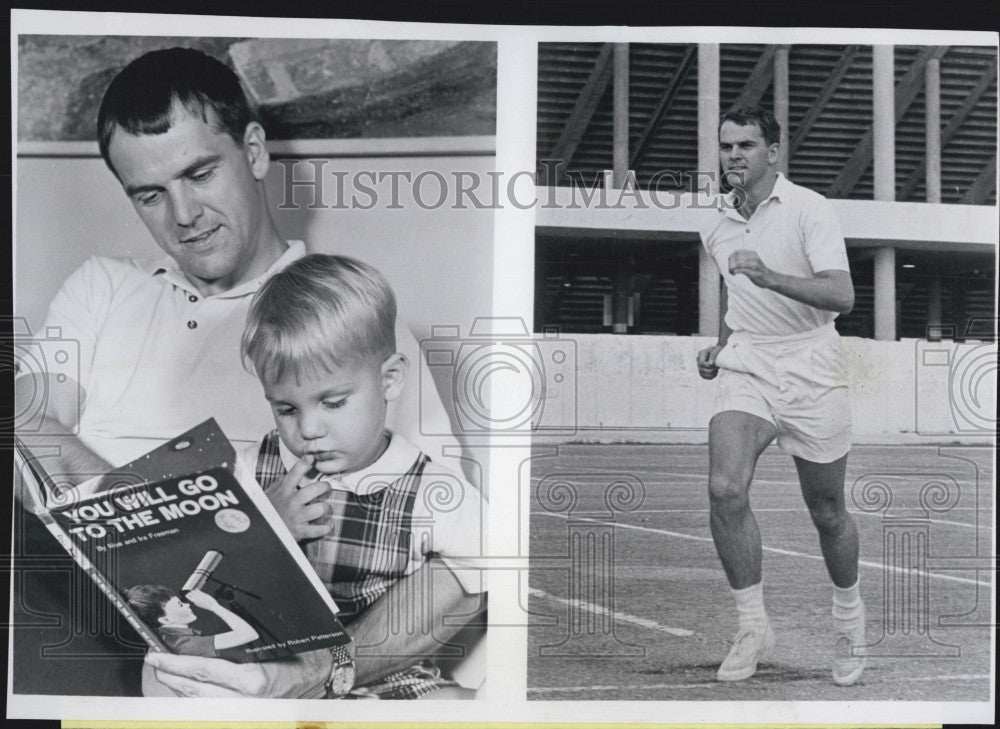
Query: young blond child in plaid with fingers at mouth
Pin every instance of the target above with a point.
(367, 506)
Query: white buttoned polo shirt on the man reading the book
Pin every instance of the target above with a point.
(157, 358)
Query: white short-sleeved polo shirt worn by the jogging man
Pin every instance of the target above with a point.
(795, 232)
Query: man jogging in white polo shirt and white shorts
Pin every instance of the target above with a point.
(778, 361)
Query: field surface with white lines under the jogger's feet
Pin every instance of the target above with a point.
(659, 628)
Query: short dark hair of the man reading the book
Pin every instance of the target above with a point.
(140, 98)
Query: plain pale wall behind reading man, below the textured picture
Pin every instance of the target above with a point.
(439, 260)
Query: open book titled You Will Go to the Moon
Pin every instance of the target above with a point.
(195, 561)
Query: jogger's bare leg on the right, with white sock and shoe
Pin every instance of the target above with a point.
(823, 489)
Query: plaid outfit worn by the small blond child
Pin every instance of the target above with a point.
(365, 553)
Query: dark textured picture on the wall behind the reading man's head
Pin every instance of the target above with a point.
(304, 88)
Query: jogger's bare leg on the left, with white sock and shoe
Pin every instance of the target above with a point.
(736, 440)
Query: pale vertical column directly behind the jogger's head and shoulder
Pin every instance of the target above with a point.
(709, 281)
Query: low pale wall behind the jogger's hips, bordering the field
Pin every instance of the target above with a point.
(647, 389)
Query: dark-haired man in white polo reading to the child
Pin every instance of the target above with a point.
(159, 344)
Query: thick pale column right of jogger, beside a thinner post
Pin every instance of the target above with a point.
(883, 155)
